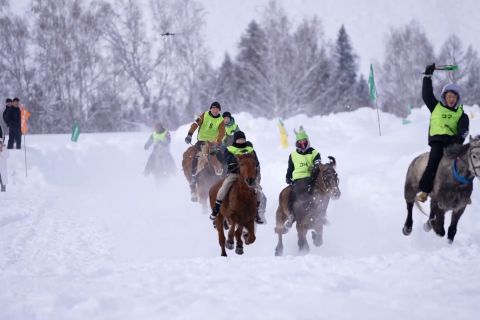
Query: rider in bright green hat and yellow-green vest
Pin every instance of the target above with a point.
(300, 163)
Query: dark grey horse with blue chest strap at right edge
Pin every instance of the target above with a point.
(452, 186)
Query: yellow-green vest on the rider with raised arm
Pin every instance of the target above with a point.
(444, 121)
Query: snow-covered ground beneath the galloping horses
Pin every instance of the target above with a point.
(87, 236)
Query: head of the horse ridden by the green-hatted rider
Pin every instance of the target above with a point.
(325, 178)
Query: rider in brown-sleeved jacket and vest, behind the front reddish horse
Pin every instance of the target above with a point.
(211, 129)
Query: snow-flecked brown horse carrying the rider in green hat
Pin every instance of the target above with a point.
(309, 208)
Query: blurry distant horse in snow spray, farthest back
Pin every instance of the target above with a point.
(160, 163)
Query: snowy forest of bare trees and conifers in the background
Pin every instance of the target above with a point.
(119, 65)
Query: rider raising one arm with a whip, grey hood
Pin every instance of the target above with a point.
(448, 124)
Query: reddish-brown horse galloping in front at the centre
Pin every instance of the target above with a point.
(239, 207)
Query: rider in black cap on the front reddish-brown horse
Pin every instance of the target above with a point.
(240, 146)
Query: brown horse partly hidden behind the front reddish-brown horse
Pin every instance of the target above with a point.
(209, 170)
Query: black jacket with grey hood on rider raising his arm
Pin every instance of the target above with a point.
(431, 102)
